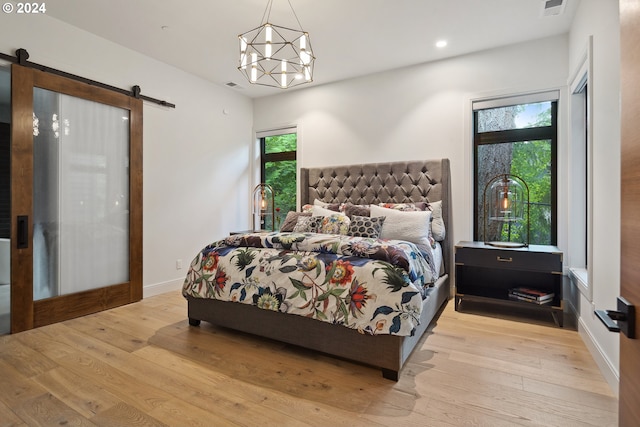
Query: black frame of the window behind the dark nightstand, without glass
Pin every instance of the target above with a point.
(518, 135)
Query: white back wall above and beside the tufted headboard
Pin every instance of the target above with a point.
(419, 112)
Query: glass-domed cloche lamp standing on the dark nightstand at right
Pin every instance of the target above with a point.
(506, 218)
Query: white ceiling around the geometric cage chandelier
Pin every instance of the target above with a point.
(350, 38)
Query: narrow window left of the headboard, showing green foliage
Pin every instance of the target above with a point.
(278, 169)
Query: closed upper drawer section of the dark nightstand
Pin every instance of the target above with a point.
(520, 259)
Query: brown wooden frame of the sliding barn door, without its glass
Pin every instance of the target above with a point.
(25, 313)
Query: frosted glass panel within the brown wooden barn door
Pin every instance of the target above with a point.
(81, 195)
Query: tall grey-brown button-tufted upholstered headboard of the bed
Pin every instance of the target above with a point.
(394, 182)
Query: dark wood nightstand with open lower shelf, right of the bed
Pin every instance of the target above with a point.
(486, 273)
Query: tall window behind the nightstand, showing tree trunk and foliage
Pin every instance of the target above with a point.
(518, 137)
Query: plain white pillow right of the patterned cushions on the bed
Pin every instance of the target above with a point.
(411, 226)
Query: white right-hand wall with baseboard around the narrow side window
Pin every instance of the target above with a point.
(601, 20)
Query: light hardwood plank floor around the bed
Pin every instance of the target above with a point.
(142, 364)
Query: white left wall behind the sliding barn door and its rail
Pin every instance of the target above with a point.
(196, 159)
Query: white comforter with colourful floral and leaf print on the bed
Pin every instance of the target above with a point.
(374, 286)
